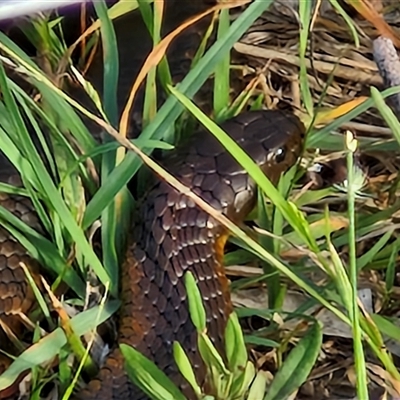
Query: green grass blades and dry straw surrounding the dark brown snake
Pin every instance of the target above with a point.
(324, 244)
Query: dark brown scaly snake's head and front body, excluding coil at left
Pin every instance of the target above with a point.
(172, 235)
